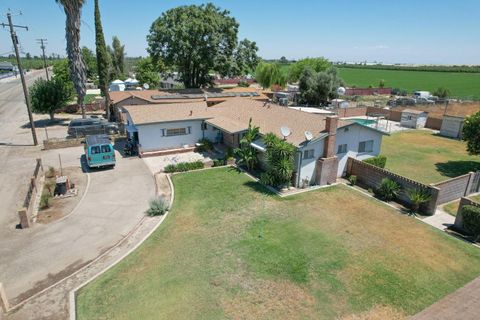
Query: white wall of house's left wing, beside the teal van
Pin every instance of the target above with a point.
(150, 135)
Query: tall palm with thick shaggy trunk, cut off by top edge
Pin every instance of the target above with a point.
(78, 71)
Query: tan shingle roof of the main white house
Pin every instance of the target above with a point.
(233, 116)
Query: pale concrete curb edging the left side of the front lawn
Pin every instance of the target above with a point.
(72, 306)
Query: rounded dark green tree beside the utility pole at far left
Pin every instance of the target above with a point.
(49, 96)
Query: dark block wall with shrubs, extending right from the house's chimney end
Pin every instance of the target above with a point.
(371, 177)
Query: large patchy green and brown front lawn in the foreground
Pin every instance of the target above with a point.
(231, 250)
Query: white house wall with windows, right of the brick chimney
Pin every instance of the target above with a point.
(352, 137)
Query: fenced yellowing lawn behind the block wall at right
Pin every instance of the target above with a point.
(426, 157)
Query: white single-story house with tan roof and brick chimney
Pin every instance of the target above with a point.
(323, 142)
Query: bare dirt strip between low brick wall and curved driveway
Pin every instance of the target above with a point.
(61, 207)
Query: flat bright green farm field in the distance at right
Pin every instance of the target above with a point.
(466, 85)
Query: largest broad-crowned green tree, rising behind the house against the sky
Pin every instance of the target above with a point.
(195, 40)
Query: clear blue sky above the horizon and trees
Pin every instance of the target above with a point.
(407, 31)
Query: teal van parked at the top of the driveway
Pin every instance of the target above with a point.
(99, 151)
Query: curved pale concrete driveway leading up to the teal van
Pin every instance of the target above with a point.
(32, 259)
